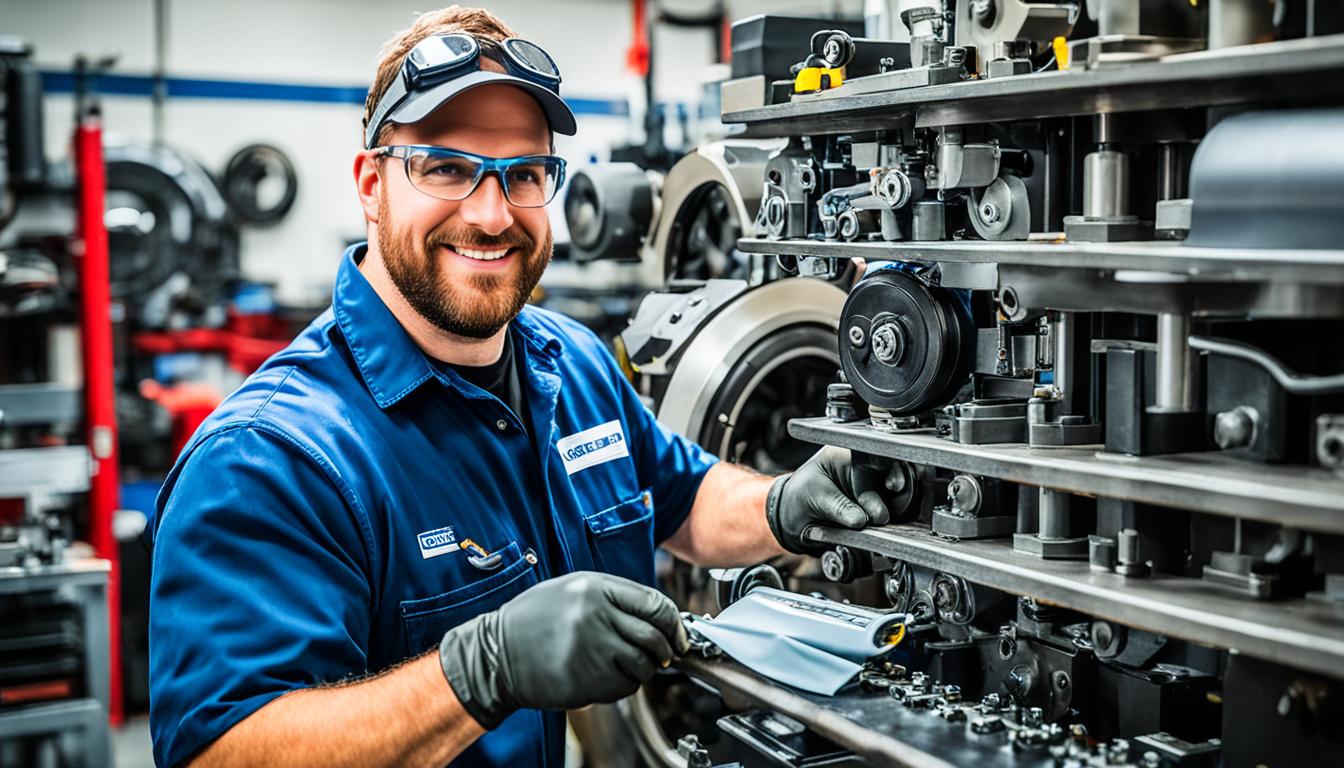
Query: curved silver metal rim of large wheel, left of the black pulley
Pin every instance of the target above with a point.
(732, 333)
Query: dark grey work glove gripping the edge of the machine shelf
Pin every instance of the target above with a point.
(822, 493)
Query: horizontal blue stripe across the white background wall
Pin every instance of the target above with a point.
(194, 88)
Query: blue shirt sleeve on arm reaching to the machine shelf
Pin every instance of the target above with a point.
(669, 463)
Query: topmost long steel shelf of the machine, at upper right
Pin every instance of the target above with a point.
(1229, 76)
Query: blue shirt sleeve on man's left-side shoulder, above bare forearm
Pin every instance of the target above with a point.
(259, 586)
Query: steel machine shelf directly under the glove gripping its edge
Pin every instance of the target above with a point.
(1300, 633)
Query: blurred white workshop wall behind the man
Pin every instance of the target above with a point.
(335, 44)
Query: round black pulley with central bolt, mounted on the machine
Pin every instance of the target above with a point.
(905, 345)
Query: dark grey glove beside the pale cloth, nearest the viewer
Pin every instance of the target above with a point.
(569, 642)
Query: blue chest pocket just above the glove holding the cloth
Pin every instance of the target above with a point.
(425, 621)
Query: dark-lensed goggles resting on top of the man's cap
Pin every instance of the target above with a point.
(443, 59)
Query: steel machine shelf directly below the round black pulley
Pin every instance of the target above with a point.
(1298, 497)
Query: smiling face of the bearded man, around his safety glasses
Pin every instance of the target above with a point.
(444, 255)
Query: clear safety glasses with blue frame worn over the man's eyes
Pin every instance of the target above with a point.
(452, 176)
